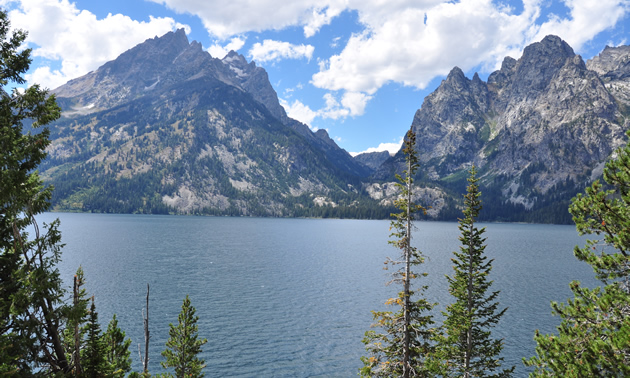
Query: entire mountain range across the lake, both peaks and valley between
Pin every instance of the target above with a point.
(167, 128)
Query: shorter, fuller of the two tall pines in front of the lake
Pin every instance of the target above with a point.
(465, 347)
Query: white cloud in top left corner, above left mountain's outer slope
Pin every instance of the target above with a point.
(59, 31)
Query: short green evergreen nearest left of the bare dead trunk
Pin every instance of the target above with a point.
(117, 352)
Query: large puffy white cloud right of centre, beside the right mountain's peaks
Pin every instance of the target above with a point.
(412, 46)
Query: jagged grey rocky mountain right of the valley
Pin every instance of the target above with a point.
(540, 129)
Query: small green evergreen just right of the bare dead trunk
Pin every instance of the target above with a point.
(183, 345)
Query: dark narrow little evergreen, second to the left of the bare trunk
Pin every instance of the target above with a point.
(93, 356)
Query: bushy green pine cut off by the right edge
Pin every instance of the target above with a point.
(593, 338)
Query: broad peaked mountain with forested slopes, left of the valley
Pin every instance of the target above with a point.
(166, 128)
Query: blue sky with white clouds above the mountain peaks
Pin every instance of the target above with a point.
(359, 69)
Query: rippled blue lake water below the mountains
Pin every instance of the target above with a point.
(293, 297)
